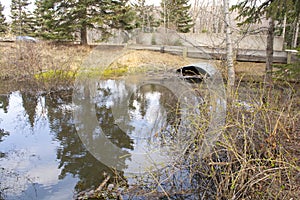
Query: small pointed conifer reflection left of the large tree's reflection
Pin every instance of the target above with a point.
(30, 102)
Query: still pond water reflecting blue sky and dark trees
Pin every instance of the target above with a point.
(45, 154)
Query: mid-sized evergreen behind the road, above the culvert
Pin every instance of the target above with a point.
(176, 15)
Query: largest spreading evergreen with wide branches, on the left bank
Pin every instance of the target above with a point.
(68, 19)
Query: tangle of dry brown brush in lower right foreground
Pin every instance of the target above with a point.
(257, 156)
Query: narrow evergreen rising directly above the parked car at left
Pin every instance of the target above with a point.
(22, 21)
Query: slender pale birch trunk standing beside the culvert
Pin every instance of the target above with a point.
(229, 50)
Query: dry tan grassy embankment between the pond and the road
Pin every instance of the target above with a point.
(42, 56)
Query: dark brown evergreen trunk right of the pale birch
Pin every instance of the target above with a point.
(269, 52)
